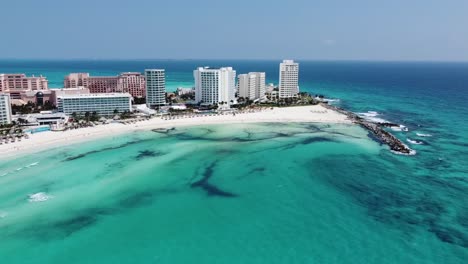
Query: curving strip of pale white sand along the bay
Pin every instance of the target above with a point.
(48, 140)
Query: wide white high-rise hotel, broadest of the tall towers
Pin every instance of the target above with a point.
(215, 86)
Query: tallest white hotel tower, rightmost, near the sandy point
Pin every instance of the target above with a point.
(289, 79)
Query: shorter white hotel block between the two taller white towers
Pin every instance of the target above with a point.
(251, 85)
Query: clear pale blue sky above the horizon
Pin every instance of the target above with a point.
(236, 29)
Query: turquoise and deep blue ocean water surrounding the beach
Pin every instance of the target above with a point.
(257, 193)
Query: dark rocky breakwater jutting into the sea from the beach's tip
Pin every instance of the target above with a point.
(377, 130)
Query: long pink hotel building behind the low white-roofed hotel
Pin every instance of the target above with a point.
(133, 83)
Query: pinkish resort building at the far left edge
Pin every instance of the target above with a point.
(17, 84)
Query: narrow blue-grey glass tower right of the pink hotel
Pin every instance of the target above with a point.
(155, 87)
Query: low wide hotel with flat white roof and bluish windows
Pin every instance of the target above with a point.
(103, 104)
